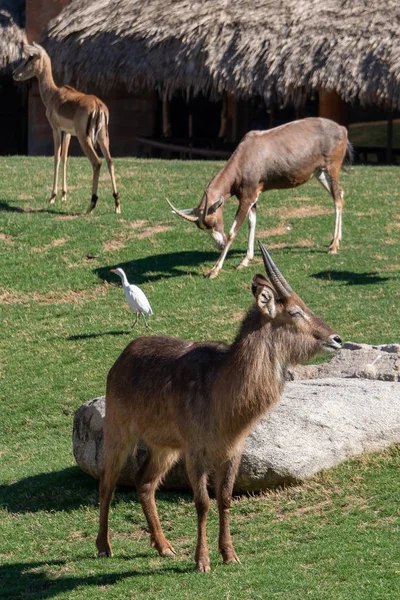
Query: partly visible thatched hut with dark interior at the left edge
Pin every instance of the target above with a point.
(13, 99)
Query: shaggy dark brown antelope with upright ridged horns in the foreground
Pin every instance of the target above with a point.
(200, 400)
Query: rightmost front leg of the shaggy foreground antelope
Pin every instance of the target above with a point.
(225, 477)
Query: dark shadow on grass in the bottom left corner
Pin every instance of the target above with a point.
(31, 579)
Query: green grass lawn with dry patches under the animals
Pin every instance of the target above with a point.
(65, 322)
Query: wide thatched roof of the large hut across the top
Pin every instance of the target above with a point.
(276, 49)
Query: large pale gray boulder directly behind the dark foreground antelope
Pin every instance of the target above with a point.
(317, 424)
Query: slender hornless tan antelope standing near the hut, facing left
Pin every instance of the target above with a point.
(70, 112)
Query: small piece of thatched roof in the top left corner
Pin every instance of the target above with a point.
(12, 34)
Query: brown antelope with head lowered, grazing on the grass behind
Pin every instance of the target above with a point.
(279, 158)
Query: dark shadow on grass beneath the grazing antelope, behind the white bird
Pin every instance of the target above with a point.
(161, 266)
